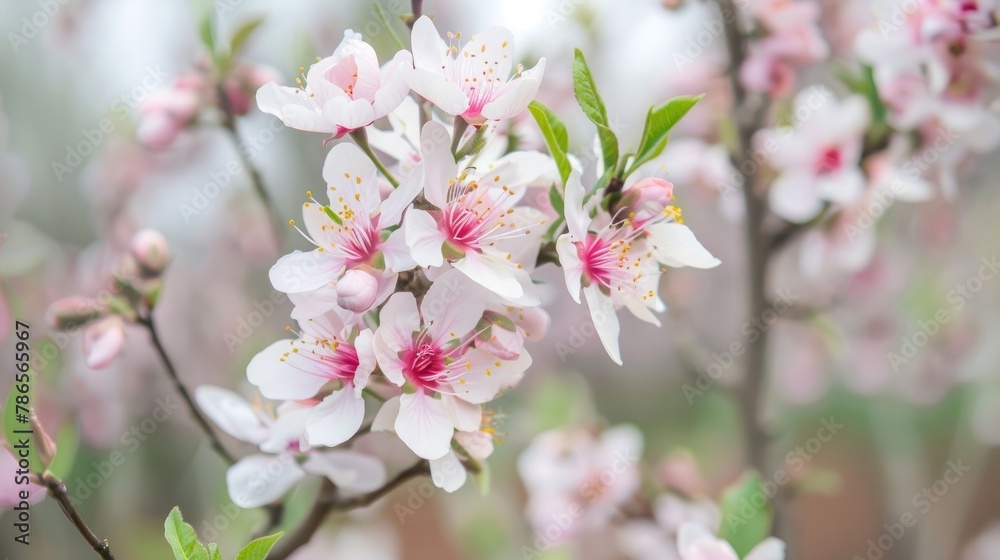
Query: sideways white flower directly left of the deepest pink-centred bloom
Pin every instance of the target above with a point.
(328, 353)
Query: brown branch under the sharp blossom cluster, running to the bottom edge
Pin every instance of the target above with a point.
(328, 501)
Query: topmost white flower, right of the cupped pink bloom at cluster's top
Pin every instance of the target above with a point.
(474, 82)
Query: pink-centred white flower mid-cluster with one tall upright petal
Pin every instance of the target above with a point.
(475, 225)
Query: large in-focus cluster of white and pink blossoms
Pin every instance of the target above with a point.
(415, 305)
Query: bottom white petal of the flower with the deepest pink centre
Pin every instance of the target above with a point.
(423, 425)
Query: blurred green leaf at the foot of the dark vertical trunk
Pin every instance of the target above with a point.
(746, 514)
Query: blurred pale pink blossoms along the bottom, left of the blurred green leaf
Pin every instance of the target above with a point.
(585, 483)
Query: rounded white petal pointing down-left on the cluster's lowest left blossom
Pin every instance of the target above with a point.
(257, 480)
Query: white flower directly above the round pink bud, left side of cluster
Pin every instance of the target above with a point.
(351, 232)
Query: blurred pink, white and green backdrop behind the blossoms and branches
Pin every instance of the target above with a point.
(75, 186)
